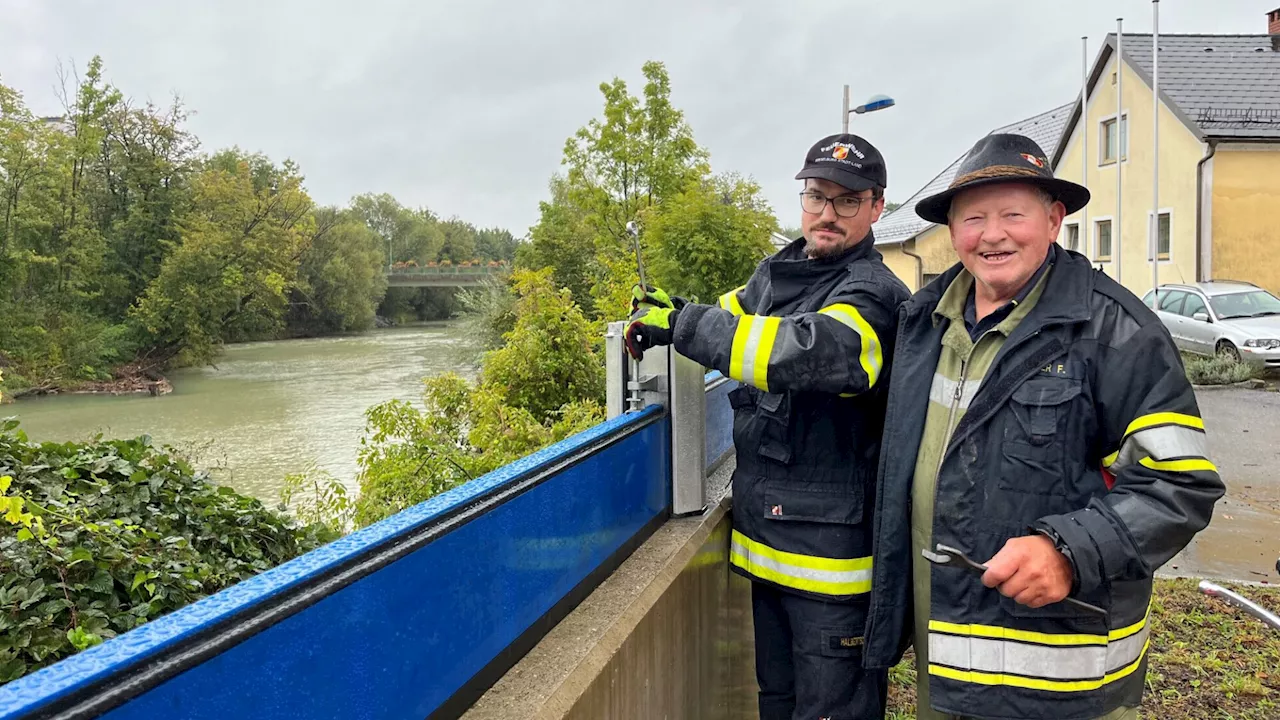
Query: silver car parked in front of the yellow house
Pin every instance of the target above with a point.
(1229, 318)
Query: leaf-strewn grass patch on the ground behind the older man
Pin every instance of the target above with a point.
(1208, 660)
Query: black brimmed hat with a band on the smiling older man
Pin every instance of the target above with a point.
(1004, 158)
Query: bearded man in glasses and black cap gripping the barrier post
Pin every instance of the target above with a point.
(810, 338)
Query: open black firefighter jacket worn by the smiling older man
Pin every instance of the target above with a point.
(1087, 429)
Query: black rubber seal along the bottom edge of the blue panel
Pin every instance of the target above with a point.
(469, 694)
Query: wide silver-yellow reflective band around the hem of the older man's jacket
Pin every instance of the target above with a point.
(1058, 663)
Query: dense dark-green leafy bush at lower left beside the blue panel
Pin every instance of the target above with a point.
(103, 537)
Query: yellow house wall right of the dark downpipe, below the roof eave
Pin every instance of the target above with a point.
(1246, 239)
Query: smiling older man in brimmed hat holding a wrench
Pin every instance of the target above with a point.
(1060, 444)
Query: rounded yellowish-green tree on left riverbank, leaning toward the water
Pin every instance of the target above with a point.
(240, 254)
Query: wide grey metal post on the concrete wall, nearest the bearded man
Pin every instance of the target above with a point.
(688, 407)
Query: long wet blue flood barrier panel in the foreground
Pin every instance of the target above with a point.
(400, 642)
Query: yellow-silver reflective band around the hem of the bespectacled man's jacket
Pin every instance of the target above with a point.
(822, 576)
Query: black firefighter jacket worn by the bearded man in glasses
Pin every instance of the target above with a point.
(810, 340)
